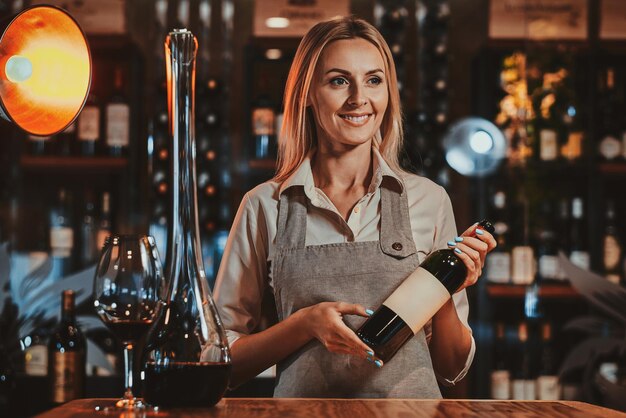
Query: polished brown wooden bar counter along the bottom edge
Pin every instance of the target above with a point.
(349, 408)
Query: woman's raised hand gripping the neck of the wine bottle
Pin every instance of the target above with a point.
(472, 247)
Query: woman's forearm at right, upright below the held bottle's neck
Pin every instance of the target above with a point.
(450, 343)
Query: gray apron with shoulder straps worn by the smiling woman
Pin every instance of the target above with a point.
(353, 272)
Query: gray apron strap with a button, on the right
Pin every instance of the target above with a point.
(395, 226)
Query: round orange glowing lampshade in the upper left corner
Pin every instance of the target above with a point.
(45, 70)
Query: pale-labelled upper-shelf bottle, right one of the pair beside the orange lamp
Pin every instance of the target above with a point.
(117, 123)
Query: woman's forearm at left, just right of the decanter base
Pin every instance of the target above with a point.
(252, 354)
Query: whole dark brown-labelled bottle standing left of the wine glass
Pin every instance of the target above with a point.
(67, 355)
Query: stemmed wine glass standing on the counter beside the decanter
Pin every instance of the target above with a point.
(128, 294)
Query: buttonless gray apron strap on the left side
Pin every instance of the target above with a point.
(292, 212)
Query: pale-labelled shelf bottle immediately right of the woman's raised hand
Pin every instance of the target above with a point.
(498, 266)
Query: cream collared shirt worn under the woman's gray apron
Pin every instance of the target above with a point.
(244, 275)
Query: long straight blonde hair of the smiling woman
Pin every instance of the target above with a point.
(298, 135)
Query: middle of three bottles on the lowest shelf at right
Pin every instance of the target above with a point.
(523, 383)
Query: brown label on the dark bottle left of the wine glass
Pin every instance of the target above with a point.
(67, 376)
